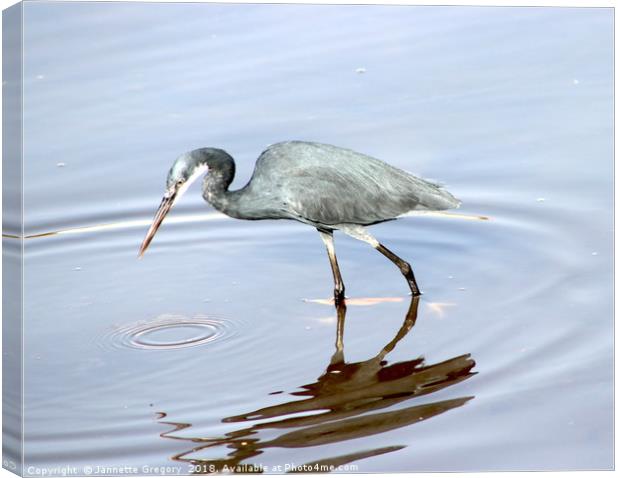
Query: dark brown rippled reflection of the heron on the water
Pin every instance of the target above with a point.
(335, 408)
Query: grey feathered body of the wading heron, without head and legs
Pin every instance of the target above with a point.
(325, 186)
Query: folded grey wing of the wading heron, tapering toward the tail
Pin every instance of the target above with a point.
(328, 185)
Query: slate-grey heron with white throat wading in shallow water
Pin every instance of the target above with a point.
(327, 187)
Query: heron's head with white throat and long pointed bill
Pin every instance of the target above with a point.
(185, 170)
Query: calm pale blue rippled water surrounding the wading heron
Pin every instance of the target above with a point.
(212, 350)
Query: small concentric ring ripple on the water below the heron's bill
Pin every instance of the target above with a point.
(170, 332)
